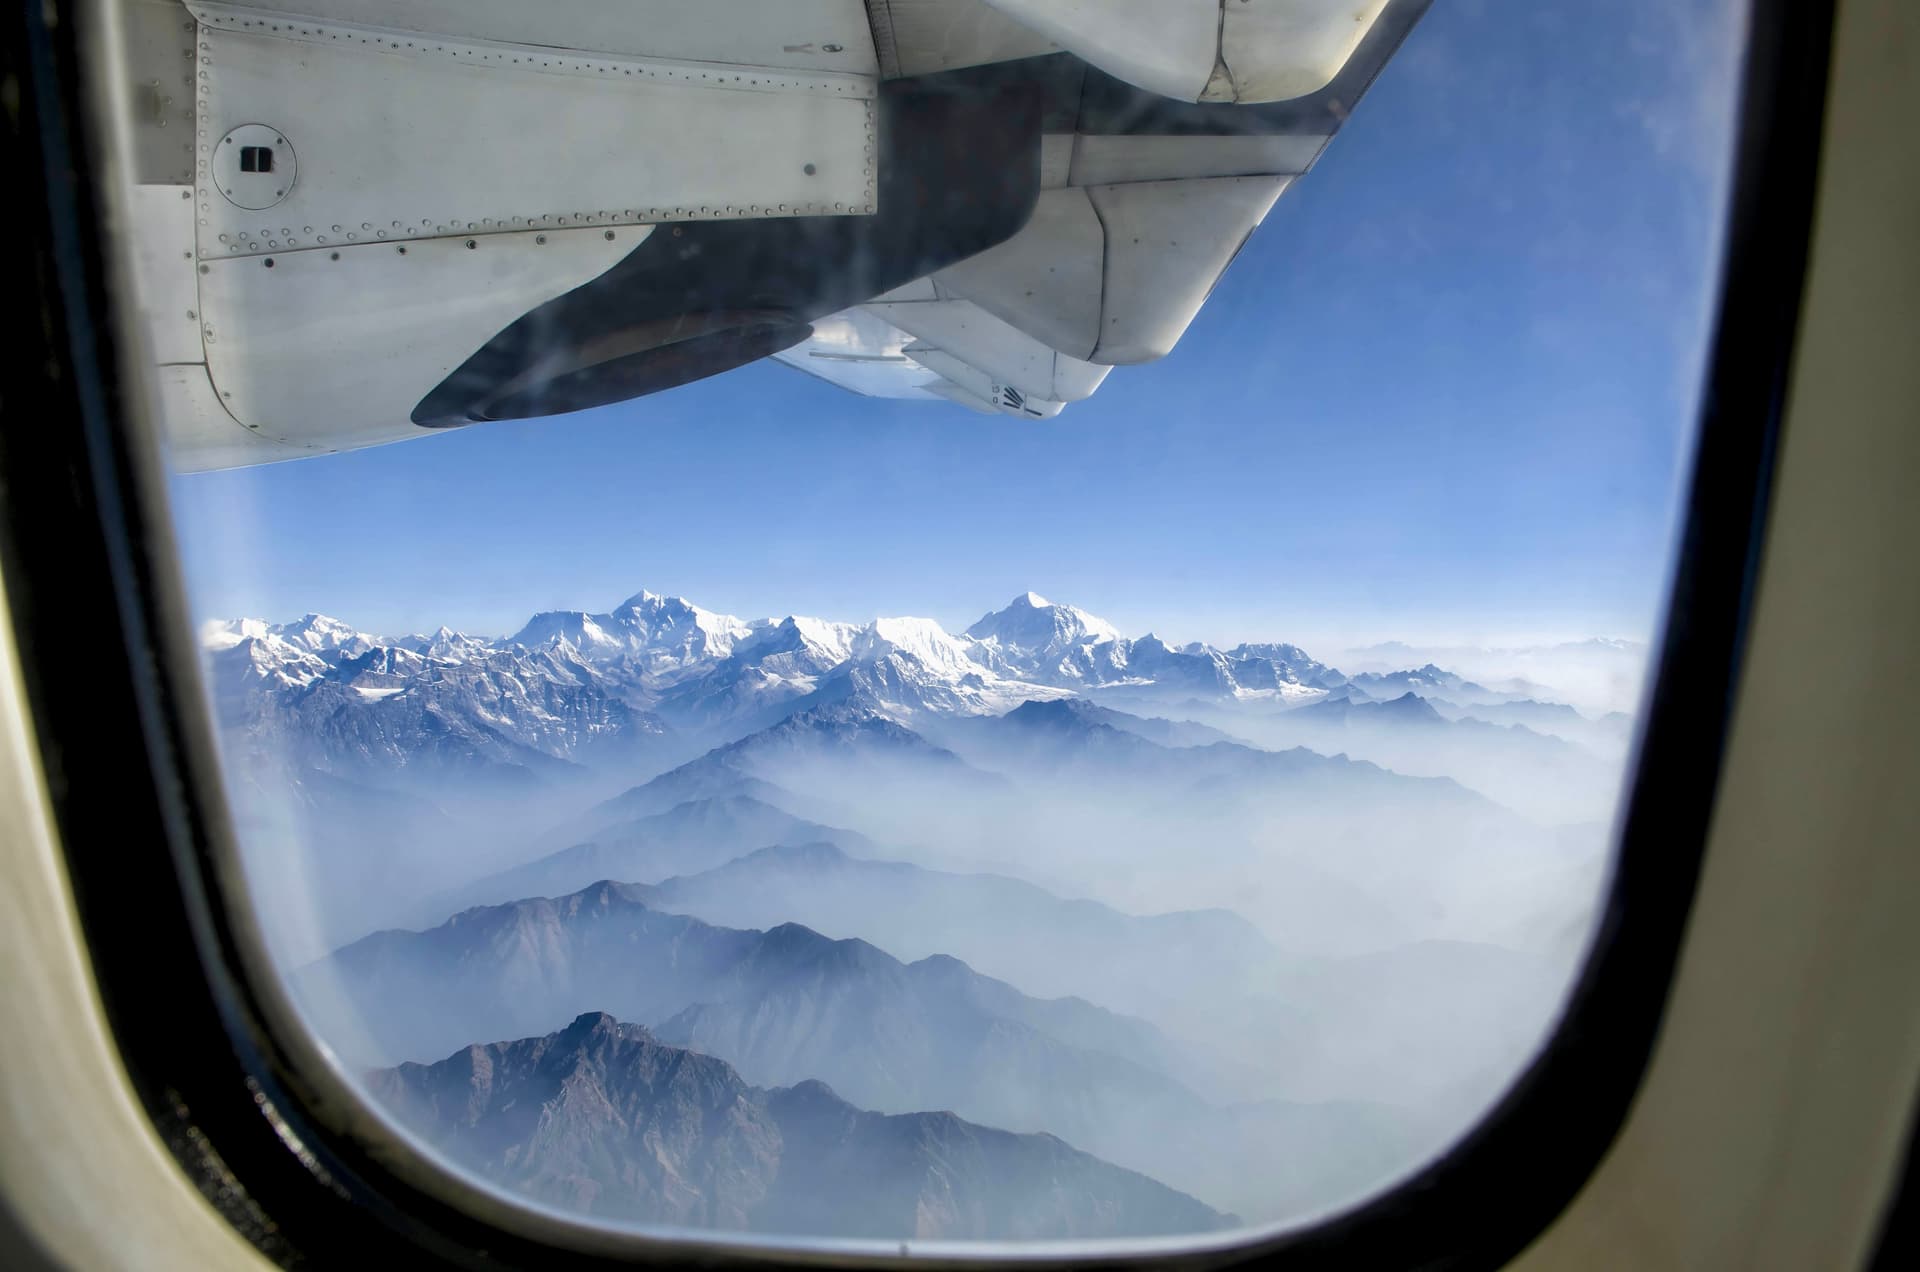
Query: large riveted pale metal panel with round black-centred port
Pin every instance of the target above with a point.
(408, 137)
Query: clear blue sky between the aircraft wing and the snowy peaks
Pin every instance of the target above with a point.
(1445, 395)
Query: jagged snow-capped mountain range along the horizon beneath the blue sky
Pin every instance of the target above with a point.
(571, 683)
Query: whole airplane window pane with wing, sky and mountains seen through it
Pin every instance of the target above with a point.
(911, 624)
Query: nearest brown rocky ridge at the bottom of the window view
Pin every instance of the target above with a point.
(608, 1121)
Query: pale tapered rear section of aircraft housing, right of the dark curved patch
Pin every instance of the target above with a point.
(1130, 235)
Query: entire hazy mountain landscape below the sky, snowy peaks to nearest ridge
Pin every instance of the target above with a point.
(876, 931)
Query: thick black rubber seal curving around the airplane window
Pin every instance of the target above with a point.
(118, 718)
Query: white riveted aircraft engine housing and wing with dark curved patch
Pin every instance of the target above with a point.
(362, 222)
